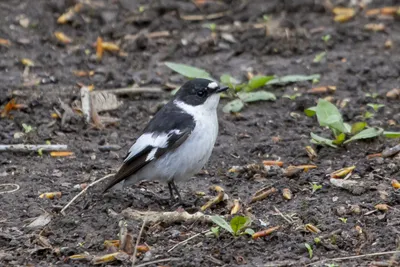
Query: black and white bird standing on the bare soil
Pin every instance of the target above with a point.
(178, 140)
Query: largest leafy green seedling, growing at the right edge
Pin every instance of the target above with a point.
(329, 116)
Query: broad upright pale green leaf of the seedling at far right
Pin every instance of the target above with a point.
(329, 115)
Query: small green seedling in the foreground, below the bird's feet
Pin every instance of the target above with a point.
(237, 226)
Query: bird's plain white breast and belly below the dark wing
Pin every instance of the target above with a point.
(186, 160)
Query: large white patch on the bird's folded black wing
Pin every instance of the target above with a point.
(150, 139)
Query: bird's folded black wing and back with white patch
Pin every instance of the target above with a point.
(169, 128)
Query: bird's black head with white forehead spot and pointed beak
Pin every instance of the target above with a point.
(200, 92)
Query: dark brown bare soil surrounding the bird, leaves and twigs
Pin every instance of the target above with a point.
(357, 62)
